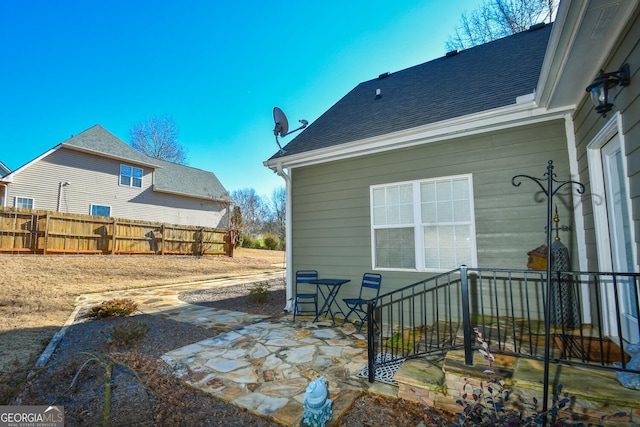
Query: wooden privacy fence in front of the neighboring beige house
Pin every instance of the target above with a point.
(45, 232)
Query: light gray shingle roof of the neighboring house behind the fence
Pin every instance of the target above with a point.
(168, 177)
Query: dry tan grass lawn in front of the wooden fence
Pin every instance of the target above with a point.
(39, 292)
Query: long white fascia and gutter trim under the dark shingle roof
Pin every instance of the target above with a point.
(497, 119)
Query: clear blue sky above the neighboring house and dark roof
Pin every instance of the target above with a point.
(217, 68)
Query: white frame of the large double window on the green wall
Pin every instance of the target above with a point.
(418, 227)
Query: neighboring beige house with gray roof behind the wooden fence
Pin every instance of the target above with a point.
(96, 173)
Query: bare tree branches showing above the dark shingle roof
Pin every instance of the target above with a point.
(499, 18)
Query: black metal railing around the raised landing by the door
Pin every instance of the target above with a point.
(589, 314)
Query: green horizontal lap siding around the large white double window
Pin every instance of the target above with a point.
(331, 207)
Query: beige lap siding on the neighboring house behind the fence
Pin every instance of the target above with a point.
(94, 179)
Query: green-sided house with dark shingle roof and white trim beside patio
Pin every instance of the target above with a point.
(410, 173)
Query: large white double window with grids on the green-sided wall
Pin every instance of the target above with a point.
(423, 225)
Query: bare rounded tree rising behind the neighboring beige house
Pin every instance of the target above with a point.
(158, 137)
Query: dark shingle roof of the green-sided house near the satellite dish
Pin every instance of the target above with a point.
(477, 79)
